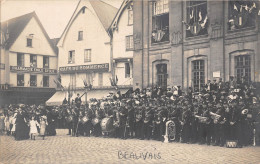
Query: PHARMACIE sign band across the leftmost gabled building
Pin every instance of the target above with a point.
(32, 69)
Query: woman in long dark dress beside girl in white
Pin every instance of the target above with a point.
(22, 129)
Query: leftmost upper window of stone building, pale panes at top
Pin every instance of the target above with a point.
(160, 21)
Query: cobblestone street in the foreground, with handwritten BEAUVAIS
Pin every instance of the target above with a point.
(67, 149)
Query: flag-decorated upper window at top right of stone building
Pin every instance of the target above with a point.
(241, 14)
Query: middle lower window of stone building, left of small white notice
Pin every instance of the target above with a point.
(198, 72)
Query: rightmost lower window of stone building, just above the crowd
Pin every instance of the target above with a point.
(243, 67)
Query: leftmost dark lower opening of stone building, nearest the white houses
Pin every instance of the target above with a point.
(162, 75)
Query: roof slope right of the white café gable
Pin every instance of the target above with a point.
(104, 11)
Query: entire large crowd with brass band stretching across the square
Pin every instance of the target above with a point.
(220, 112)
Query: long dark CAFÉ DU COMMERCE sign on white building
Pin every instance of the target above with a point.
(85, 68)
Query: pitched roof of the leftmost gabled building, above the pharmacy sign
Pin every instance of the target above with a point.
(16, 25)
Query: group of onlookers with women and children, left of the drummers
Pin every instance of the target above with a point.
(24, 121)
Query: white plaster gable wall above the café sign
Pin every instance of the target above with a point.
(94, 37)
